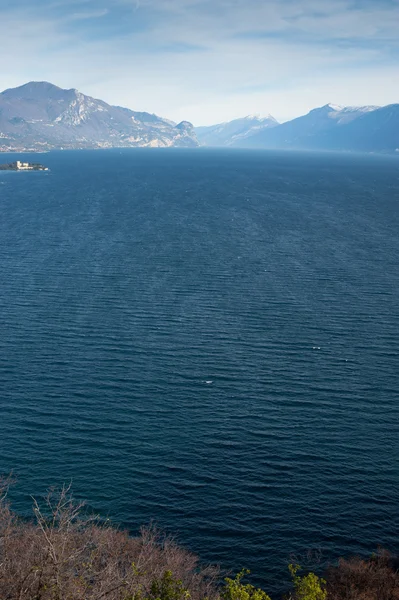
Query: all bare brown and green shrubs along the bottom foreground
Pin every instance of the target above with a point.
(63, 555)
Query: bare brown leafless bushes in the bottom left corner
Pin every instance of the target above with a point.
(64, 555)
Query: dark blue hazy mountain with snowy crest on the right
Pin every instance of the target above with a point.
(330, 127)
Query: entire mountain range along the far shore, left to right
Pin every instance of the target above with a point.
(42, 116)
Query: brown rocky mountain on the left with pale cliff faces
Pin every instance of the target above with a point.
(42, 116)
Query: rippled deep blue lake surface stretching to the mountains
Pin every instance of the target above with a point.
(209, 339)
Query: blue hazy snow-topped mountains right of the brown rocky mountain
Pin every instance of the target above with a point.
(330, 127)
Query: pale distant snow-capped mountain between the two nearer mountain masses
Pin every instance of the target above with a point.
(233, 132)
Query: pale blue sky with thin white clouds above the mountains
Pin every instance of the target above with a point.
(207, 61)
